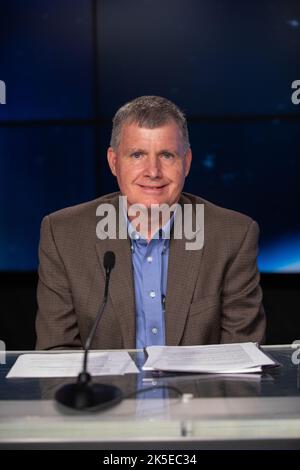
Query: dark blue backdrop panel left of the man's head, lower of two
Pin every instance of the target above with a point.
(42, 169)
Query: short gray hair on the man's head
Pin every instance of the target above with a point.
(149, 112)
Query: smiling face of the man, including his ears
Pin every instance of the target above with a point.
(150, 164)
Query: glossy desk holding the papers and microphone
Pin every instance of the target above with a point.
(261, 411)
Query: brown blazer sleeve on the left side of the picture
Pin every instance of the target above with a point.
(56, 323)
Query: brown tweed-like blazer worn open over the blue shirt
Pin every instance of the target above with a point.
(213, 294)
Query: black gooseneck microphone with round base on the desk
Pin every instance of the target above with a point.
(83, 395)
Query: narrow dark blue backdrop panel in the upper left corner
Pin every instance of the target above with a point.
(46, 59)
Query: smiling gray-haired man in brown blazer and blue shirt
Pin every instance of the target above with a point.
(160, 291)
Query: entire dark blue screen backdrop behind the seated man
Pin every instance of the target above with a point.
(69, 64)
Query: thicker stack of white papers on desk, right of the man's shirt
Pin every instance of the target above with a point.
(237, 358)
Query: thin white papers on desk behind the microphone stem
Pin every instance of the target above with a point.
(70, 364)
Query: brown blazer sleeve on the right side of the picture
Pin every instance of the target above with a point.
(243, 316)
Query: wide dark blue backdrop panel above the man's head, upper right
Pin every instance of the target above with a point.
(209, 56)
